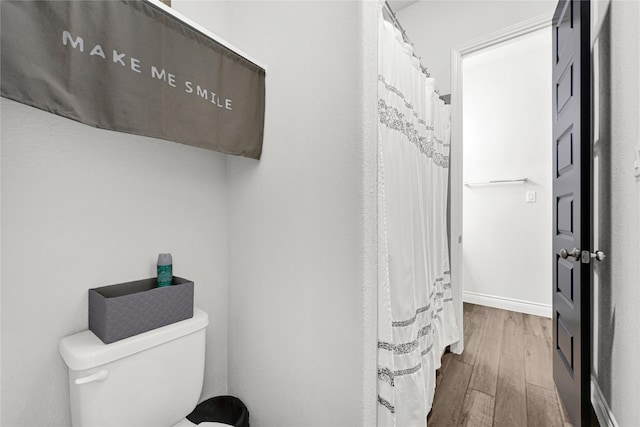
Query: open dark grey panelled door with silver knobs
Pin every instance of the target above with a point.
(572, 207)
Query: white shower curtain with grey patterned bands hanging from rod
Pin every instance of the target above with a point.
(416, 319)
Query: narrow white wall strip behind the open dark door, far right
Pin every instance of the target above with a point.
(616, 292)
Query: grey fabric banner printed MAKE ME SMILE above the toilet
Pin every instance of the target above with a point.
(132, 67)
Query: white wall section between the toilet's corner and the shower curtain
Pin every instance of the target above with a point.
(296, 289)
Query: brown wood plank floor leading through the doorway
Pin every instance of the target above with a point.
(504, 376)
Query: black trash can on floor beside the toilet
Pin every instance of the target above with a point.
(222, 409)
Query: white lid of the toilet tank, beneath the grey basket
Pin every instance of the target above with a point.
(85, 350)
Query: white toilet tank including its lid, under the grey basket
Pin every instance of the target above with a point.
(152, 379)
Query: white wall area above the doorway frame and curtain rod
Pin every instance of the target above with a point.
(436, 26)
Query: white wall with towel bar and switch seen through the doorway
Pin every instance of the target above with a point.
(506, 129)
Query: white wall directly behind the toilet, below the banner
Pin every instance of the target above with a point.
(82, 208)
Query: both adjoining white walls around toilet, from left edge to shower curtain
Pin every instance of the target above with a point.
(293, 234)
